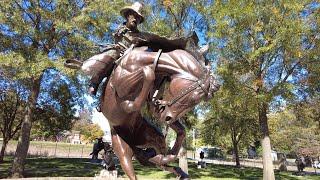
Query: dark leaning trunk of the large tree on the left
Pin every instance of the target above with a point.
(24, 140)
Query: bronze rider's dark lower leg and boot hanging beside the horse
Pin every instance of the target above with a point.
(102, 68)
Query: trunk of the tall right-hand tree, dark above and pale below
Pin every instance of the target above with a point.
(268, 173)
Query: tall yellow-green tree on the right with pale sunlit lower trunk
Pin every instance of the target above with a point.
(272, 44)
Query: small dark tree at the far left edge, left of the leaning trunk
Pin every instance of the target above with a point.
(11, 116)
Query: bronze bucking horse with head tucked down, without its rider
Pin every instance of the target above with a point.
(134, 83)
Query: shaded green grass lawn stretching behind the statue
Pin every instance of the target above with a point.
(76, 167)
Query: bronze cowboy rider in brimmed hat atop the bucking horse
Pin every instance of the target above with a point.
(101, 65)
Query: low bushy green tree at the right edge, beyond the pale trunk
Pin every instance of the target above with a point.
(295, 124)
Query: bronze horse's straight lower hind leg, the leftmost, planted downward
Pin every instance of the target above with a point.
(124, 153)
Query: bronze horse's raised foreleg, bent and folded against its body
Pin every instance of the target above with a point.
(148, 79)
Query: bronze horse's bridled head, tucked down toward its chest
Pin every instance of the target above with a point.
(183, 94)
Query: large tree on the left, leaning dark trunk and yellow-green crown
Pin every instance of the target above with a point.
(35, 35)
